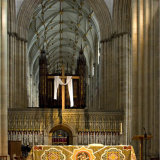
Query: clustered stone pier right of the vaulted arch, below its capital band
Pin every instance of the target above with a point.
(115, 78)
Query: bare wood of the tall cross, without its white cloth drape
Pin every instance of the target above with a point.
(63, 77)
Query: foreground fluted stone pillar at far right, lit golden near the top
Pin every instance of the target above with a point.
(145, 50)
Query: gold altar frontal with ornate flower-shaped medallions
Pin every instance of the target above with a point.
(90, 152)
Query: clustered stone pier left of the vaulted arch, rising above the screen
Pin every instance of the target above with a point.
(17, 48)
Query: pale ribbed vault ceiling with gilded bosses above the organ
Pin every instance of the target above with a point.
(61, 27)
